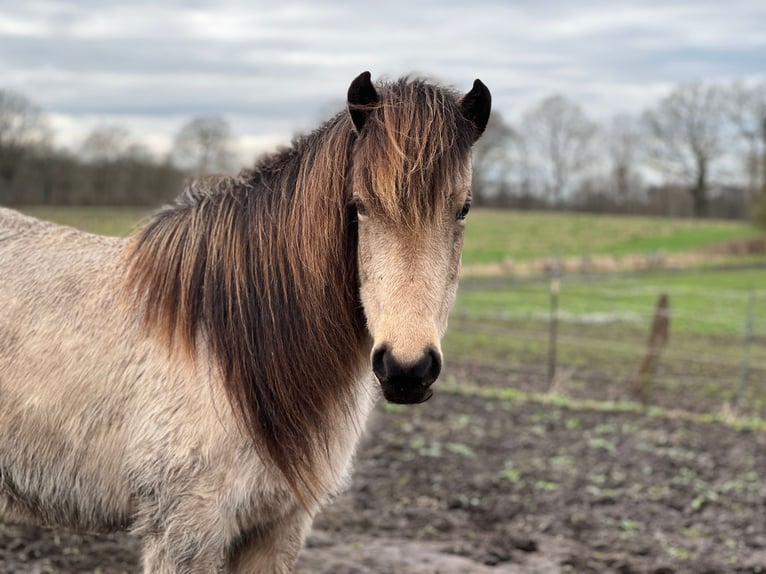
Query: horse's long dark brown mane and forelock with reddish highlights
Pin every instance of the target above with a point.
(262, 267)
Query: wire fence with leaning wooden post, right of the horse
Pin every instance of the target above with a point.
(613, 338)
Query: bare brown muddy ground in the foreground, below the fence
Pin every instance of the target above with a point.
(462, 484)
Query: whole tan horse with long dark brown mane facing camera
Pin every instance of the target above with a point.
(203, 382)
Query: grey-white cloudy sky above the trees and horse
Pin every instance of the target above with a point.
(274, 67)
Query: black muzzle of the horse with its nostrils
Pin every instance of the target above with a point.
(406, 383)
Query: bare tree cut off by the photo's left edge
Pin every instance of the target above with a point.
(23, 130)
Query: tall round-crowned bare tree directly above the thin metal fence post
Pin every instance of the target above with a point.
(558, 136)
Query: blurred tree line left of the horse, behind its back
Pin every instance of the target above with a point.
(108, 168)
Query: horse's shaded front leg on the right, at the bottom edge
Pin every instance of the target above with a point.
(275, 550)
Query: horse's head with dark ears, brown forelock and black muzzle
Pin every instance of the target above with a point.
(411, 193)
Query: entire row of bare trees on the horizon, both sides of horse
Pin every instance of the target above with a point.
(700, 150)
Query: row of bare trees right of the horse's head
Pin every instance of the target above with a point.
(700, 151)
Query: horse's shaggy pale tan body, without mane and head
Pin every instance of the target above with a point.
(113, 444)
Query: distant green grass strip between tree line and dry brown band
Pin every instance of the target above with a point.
(494, 236)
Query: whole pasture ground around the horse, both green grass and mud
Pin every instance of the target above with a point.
(504, 470)
